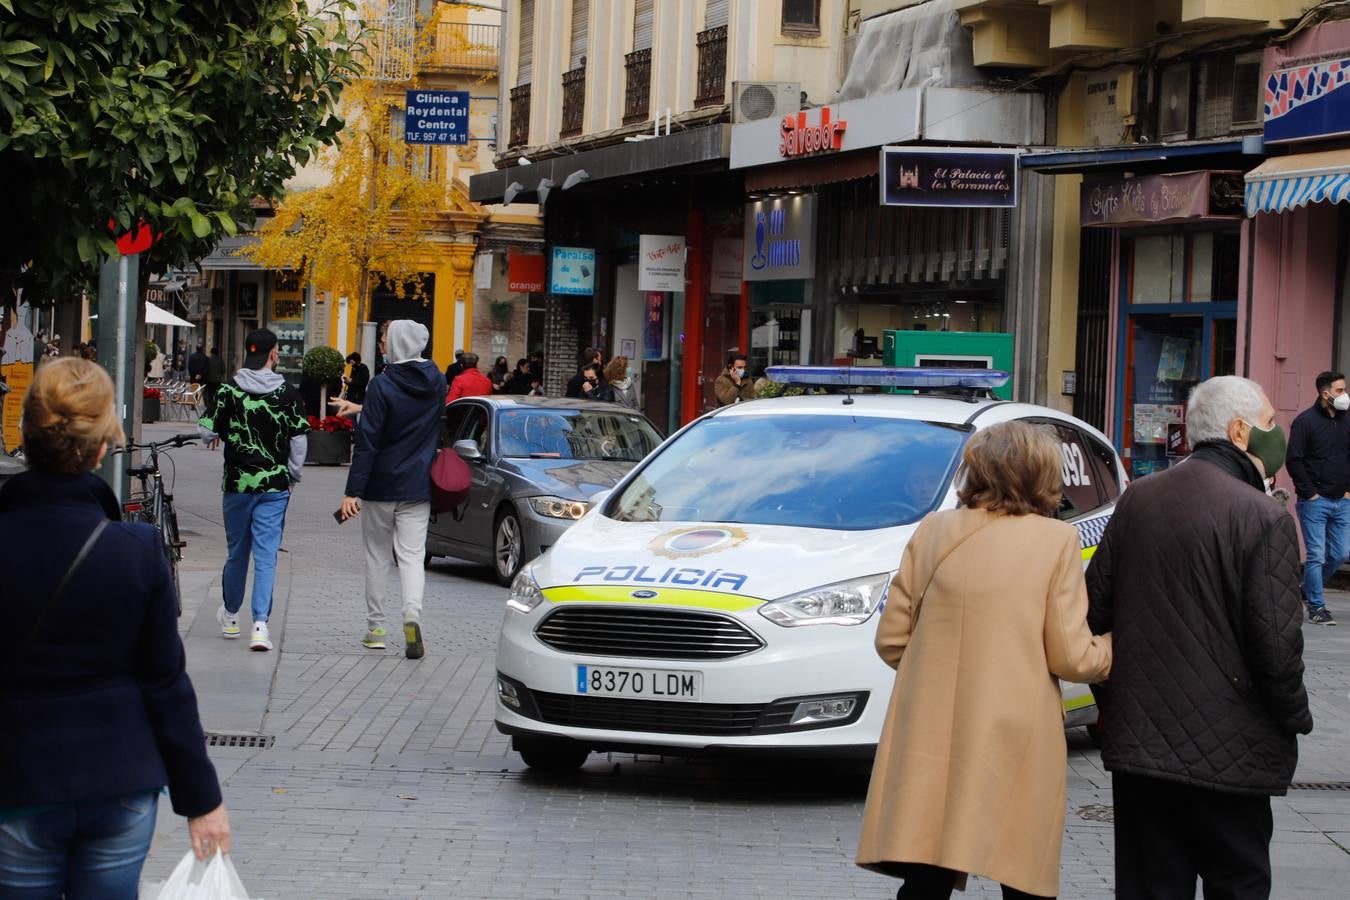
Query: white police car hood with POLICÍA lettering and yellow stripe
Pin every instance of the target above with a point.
(743, 563)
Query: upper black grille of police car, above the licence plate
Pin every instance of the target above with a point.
(650, 635)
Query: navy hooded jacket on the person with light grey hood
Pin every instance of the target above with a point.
(396, 438)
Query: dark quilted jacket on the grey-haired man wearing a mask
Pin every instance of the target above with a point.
(1198, 581)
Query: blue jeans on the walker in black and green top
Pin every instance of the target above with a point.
(253, 527)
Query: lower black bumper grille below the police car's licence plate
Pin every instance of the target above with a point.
(666, 717)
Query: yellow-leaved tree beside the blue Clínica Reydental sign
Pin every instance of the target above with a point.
(375, 222)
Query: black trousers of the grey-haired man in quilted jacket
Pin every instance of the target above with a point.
(1167, 835)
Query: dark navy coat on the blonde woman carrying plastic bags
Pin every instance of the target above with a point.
(101, 704)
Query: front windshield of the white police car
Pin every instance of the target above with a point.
(811, 472)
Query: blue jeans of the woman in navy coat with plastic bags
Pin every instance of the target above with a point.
(91, 851)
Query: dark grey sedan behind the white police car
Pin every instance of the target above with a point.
(537, 463)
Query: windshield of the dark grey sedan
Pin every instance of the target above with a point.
(576, 434)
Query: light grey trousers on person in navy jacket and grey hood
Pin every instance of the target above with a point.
(395, 530)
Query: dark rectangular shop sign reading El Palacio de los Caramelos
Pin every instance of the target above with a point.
(948, 177)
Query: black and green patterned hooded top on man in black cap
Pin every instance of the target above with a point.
(263, 424)
